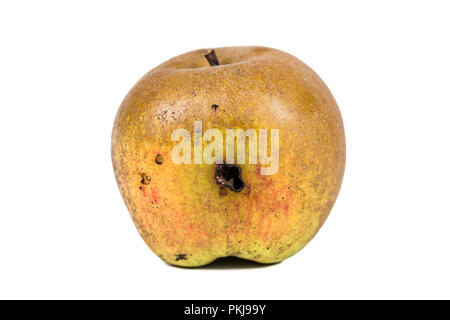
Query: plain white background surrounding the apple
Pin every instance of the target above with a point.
(65, 68)
